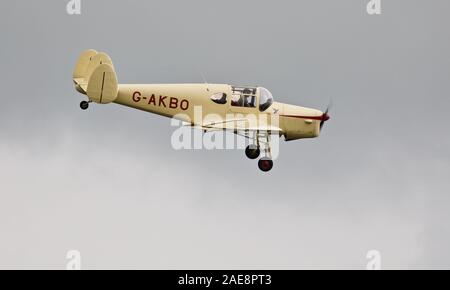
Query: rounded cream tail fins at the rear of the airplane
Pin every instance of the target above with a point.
(94, 75)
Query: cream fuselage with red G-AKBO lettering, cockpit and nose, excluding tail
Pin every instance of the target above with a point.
(198, 103)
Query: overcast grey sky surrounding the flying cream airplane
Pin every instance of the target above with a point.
(107, 182)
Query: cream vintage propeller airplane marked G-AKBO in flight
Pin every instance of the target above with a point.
(95, 77)
